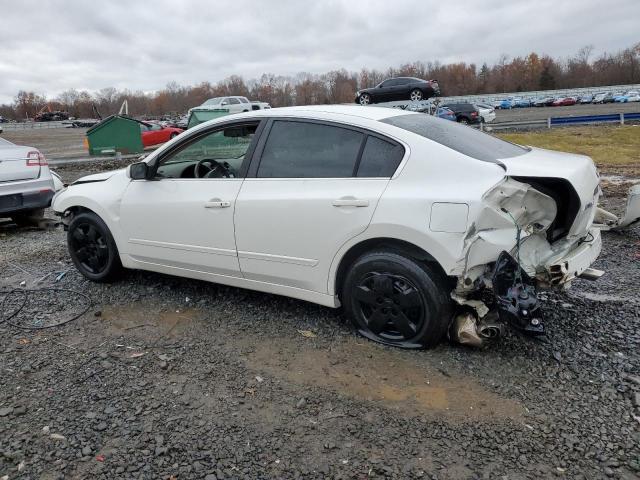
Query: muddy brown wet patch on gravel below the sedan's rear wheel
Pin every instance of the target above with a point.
(394, 379)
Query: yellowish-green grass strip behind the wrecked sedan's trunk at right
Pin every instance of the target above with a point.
(610, 145)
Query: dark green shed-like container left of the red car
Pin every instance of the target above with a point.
(116, 133)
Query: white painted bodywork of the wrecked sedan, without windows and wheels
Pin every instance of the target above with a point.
(288, 236)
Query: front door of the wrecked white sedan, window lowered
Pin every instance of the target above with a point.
(183, 217)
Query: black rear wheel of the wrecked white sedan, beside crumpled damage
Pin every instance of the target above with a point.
(396, 300)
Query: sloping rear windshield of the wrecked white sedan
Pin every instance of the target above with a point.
(460, 138)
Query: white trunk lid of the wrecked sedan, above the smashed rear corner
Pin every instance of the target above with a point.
(579, 170)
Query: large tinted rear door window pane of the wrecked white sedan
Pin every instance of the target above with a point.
(297, 149)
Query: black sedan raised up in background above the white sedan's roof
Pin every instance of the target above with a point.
(399, 88)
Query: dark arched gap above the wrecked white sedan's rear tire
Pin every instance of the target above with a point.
(400, 246)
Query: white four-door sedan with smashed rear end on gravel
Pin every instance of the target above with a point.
(402, 218)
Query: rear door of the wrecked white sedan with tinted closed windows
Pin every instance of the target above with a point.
(311, 187)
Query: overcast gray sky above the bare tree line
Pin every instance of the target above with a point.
(49, 46)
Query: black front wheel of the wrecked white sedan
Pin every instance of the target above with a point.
(93, 249)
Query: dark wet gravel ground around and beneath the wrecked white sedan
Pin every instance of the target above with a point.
(173, 378)
